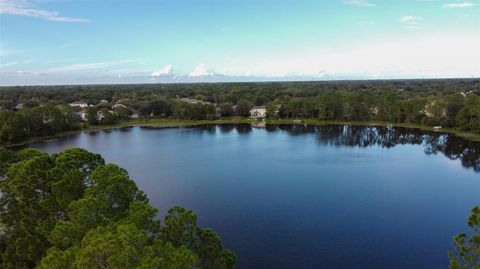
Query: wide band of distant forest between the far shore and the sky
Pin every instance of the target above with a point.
(44, 110)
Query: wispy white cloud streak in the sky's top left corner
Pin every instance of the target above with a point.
(27, 8)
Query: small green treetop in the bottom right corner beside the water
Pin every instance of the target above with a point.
(467, 247)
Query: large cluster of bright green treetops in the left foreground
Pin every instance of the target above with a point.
(72, 210)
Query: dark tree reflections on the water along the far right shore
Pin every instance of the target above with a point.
(454, 148)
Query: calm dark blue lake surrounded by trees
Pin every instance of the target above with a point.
(306, 197)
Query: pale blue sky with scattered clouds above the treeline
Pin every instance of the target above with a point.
(46, 42)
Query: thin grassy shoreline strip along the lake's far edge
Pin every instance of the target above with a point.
(169, 123)
